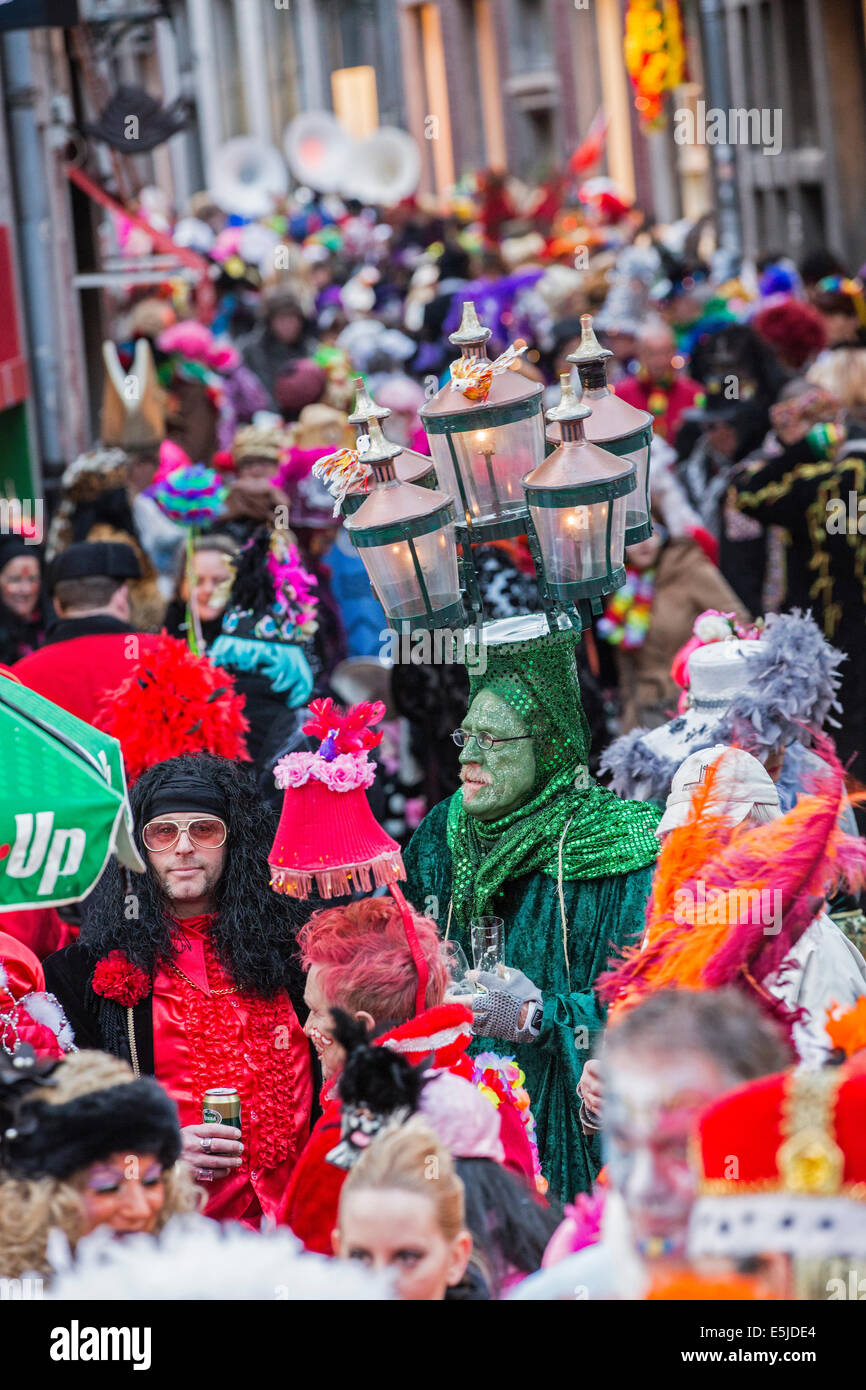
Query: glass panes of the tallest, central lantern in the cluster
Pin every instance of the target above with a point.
(491, 462)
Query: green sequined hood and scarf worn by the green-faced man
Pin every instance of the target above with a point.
(572, 826)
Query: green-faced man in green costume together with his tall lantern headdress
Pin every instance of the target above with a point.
(529, 836)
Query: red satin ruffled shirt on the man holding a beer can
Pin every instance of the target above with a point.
(206, 1033)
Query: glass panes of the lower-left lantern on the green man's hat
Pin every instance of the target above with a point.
(394, 575)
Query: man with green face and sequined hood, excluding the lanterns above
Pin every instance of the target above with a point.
(568, 867)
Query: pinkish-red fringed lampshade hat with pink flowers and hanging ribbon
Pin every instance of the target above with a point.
(329, 842)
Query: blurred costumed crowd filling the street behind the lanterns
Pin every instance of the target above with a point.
(755, 376)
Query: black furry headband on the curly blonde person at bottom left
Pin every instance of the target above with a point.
(59, 1140)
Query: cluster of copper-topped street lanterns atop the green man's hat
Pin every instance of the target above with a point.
(579, 508)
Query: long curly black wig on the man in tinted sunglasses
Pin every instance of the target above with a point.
(255, 929)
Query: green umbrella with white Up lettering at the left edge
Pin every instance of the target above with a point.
(63, 803)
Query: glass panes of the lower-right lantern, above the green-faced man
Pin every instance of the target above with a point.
(575, 540)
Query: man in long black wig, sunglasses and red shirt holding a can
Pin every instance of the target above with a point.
(188, 972)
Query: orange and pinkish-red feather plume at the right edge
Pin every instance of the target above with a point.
(729, 904)
